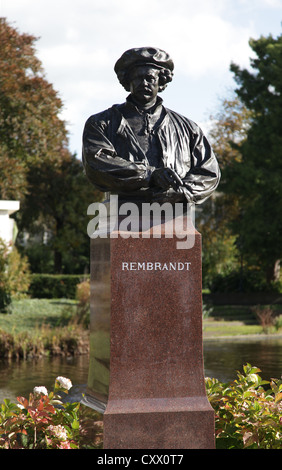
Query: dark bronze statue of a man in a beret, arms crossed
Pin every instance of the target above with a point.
(142, 150)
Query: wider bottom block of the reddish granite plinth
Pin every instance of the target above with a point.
(178, 423)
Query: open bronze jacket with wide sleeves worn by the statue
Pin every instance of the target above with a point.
(114, 161)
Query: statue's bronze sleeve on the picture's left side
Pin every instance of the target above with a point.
(104, 168)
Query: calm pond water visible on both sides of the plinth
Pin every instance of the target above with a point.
(222, 358)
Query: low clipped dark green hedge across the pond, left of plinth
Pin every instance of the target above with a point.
(54, 286)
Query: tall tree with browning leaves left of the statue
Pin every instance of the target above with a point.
(36, 165)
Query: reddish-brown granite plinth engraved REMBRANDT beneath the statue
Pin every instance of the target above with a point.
(156, 390)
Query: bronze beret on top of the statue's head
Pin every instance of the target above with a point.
(143, 55)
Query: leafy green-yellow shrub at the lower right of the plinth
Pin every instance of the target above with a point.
(247, 415)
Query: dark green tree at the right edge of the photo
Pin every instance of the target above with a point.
(254, 179)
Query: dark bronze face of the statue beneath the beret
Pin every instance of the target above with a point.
(144, 85)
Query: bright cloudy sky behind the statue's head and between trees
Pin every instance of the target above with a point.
(80, 41)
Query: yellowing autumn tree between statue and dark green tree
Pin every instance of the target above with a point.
(228, 131)
